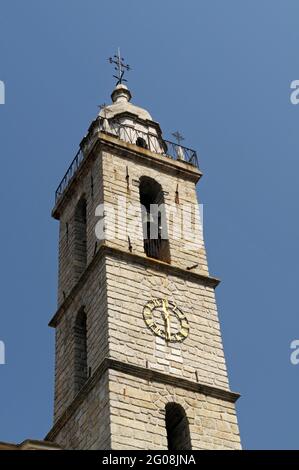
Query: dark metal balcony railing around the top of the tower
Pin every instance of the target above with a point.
(150, 141)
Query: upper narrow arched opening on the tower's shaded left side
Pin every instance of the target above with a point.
(80, 242)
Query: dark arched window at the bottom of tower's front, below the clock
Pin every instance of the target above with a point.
(177, 427)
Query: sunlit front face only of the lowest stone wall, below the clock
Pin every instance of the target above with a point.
(137, 415)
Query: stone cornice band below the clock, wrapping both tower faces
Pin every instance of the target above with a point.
(142, 373)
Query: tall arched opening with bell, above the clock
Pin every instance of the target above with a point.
(155, 235)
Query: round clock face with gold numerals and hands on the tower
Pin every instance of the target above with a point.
(166, 320)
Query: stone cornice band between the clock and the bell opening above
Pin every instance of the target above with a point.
(135, 259)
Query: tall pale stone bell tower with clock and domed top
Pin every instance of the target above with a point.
(139, 357)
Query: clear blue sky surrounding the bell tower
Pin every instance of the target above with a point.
(220, 72)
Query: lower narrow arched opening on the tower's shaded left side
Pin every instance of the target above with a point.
(80, 349)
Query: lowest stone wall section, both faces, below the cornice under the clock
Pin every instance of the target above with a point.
(123, 412)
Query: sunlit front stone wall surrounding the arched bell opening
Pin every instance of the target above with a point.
(183, 253)
